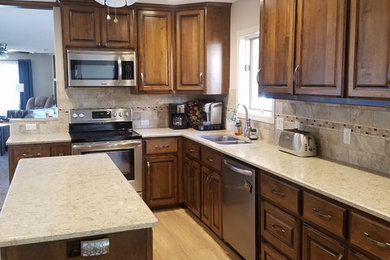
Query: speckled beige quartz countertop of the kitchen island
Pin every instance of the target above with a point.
(58, 198)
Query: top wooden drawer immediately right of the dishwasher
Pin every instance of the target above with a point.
(280, 193)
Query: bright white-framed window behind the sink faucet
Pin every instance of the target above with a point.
(259, 108)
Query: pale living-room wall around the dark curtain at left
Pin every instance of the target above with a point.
(42, 70)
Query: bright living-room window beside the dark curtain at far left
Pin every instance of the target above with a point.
(9, 78)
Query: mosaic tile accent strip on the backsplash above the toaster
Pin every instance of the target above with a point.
(357, 129)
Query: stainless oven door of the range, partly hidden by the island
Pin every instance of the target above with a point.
(125, 154)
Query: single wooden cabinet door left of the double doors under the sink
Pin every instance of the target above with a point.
(192, 185)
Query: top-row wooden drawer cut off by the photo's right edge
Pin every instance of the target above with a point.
(370, 235)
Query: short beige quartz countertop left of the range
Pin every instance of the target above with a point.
(38, 138)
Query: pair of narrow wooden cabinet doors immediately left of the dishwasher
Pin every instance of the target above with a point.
(211, 209)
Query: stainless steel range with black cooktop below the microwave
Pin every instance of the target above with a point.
(109, 131)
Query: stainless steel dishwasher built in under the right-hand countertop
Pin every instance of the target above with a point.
(238, 202)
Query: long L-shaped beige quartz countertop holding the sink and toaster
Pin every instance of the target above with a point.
(360, 189)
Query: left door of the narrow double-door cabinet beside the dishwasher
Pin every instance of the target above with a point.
(206, 196)
